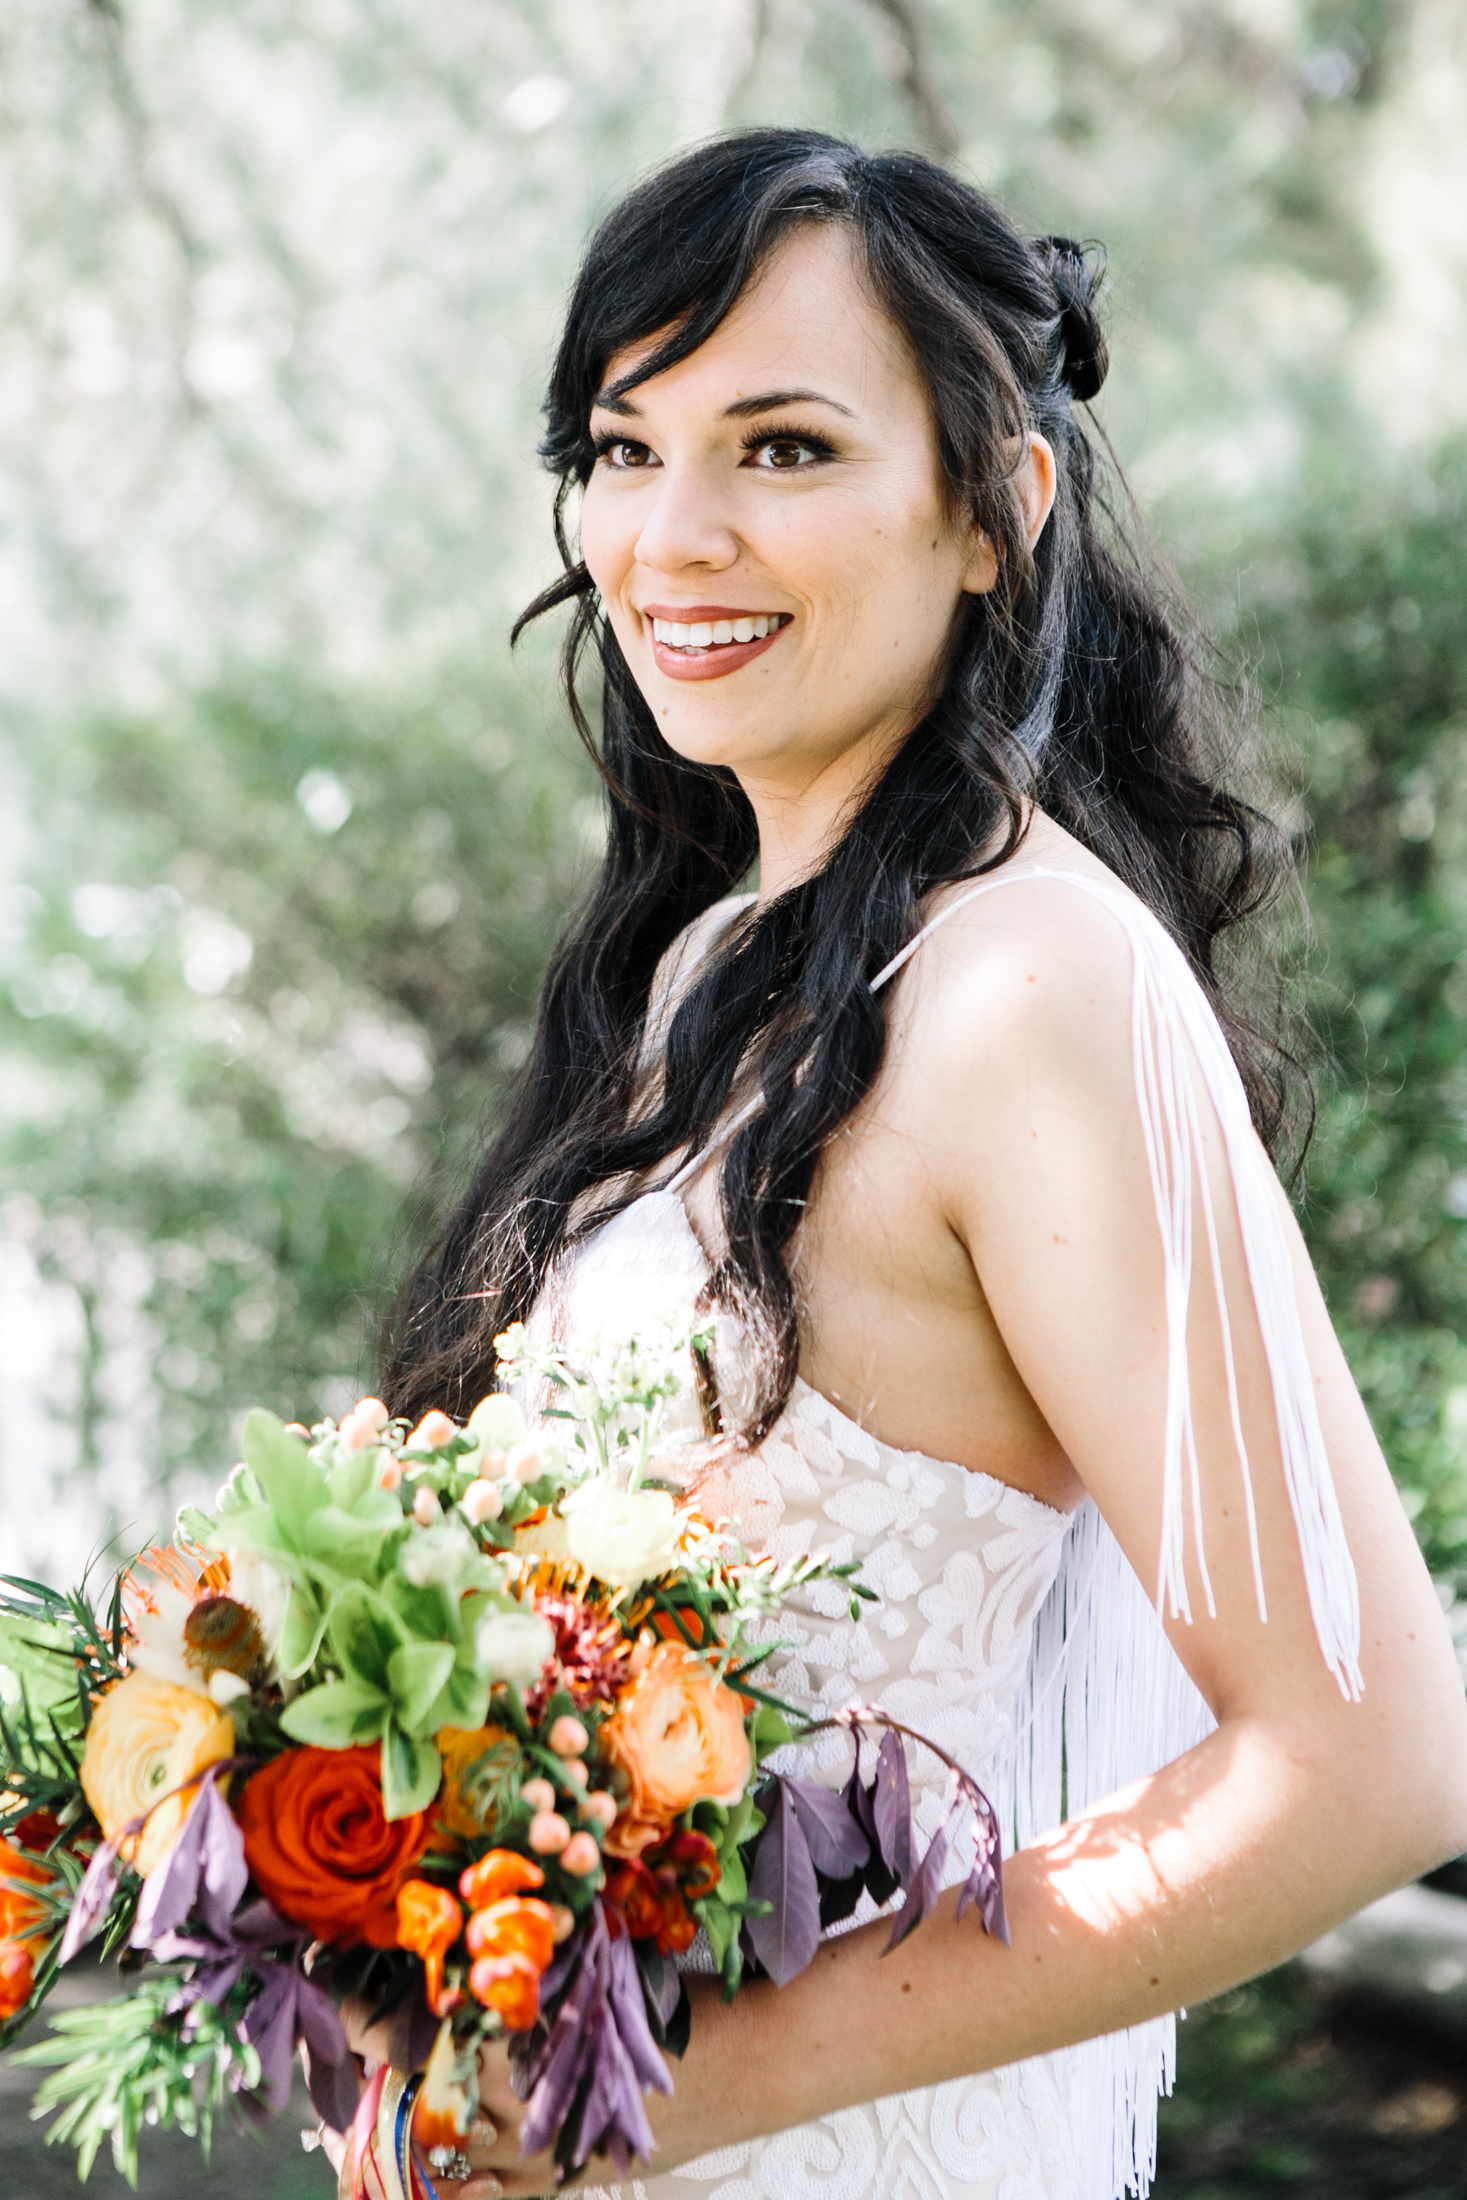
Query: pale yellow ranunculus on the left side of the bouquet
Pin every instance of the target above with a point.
(146, 1739)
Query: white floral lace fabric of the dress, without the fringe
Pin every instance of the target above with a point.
(962, 1565)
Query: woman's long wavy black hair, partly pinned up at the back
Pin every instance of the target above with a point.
(1068, 683)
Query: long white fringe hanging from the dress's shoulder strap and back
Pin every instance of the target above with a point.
(1107, 1699)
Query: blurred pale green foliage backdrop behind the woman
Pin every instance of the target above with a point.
(287, 833)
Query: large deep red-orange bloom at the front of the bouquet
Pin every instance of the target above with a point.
(322, 1849)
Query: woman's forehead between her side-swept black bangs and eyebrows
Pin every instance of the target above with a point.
(806, 322)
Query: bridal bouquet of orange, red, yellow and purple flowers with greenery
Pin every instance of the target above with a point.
(461, 1721)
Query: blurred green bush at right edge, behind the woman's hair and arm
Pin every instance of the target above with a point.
(1363, 613)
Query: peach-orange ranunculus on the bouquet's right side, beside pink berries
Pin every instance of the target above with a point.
(679, 1735)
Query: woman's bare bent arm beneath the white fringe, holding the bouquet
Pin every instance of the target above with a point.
(1301, 1807)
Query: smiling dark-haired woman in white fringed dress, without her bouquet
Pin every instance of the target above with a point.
(960, 1132)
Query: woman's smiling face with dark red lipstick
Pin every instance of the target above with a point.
(769, 533)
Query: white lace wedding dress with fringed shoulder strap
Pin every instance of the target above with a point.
(1011, 1633)
